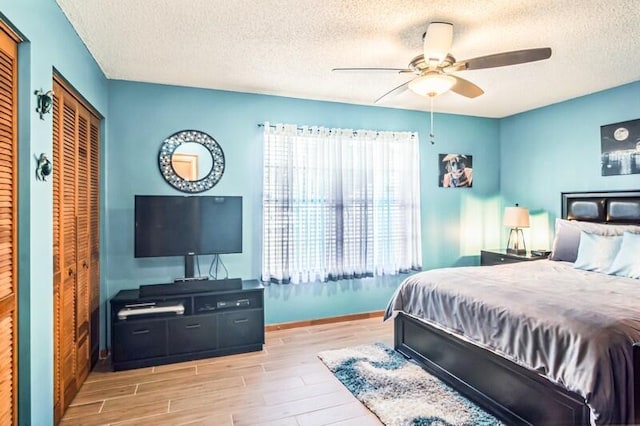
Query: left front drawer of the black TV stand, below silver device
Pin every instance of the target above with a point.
(140, 339)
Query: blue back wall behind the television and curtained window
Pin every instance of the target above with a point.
(142, 115)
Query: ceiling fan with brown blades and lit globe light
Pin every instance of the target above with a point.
(434, 68)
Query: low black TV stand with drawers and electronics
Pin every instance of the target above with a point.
(207, 324)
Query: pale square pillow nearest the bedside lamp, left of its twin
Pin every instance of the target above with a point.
(597, 252)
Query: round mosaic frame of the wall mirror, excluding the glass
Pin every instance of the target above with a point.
(168, 147)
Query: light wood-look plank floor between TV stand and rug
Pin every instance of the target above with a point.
(285, 384)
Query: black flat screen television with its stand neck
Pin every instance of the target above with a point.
(188, 226)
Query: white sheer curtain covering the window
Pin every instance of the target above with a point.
(339, 203)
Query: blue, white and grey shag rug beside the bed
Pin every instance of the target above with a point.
(400, 392)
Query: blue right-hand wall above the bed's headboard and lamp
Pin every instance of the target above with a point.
(557, 149)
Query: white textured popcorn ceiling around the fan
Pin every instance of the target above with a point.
(288, 47)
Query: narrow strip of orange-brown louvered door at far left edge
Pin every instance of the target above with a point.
(8, 228)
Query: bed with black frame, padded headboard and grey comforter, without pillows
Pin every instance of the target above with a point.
(534, 342)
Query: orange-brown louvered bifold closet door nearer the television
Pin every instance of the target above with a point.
(76, 244)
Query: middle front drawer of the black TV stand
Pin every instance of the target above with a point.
(192, 334)
